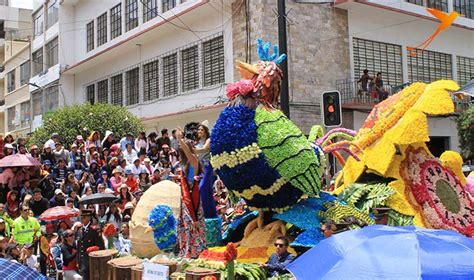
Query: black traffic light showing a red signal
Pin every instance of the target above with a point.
(331, 108)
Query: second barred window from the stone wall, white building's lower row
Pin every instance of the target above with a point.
(190, 68)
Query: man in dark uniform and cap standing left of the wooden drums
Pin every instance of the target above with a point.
(88, 236)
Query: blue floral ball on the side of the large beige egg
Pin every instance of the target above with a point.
(163, 223)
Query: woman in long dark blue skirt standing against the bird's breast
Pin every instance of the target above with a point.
(207, 182)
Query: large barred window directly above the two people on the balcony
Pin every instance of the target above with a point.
(378, 57)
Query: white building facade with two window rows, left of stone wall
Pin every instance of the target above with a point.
(167, 61)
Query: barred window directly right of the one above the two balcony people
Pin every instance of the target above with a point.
(428, 66)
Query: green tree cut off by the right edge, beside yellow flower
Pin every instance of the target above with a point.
(466, 132)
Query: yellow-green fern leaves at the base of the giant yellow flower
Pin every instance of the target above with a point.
(366, 196)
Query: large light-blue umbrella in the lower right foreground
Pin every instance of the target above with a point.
(383, 252)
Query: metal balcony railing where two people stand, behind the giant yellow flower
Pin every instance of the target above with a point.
(352, 96)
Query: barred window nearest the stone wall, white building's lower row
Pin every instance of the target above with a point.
(213, 61)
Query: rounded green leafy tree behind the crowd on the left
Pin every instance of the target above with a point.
(82, 119)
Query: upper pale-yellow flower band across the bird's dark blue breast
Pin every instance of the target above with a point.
(236, 157)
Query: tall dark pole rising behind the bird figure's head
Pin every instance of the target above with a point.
(284, 96)
